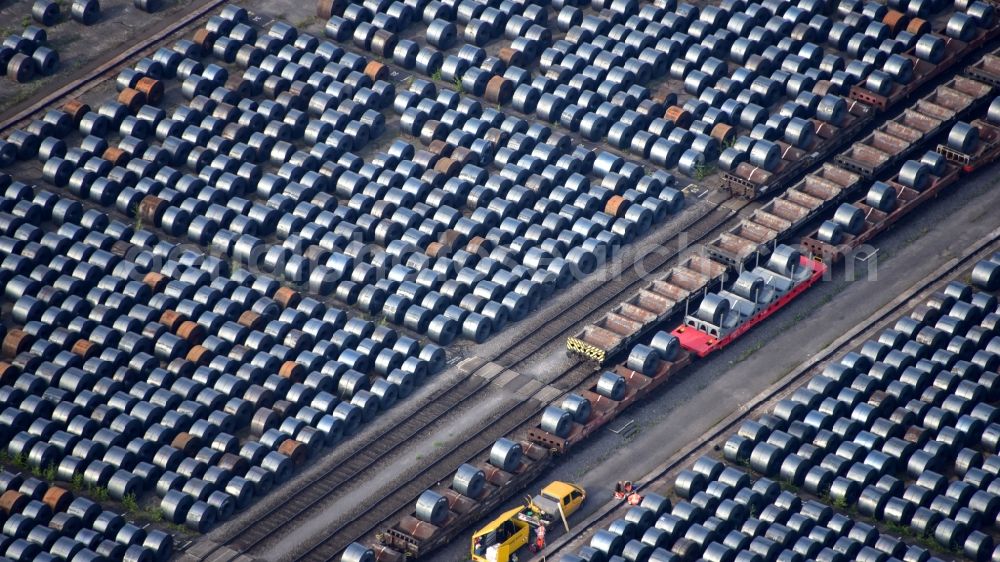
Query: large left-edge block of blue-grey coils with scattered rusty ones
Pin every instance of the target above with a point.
(130, 397)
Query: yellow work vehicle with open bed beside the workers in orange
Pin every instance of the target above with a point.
(500, 540)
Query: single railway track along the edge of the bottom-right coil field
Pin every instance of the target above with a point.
(660, 478)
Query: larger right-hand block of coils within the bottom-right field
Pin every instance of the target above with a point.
(878, 429)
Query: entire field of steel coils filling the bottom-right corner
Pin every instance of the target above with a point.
(877, 431)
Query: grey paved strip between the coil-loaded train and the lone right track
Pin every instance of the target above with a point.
(704, 395)
